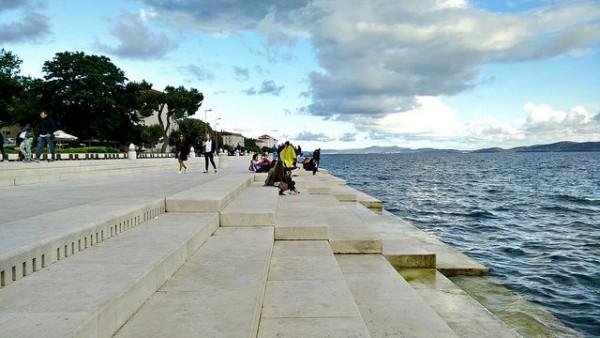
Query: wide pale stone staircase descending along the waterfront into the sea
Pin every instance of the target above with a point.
(227, 257)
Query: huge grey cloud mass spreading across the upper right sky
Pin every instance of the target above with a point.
(377, 58)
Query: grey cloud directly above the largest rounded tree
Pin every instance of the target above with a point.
(136, 40)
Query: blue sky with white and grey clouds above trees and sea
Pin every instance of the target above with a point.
(334, 74)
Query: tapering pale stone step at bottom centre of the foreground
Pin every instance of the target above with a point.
(307, 296)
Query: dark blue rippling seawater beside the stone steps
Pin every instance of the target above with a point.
(532, 218)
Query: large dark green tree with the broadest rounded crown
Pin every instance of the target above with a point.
(88, 97)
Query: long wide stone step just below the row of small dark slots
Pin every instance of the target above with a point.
(93, 293)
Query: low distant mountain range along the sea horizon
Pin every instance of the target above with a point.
(554, 147)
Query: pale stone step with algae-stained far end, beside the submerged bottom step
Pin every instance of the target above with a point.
(466, 316)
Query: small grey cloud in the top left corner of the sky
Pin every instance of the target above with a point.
(29, 25)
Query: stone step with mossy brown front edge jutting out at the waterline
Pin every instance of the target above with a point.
(407, 246)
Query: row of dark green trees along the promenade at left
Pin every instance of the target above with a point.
(91, 97)
